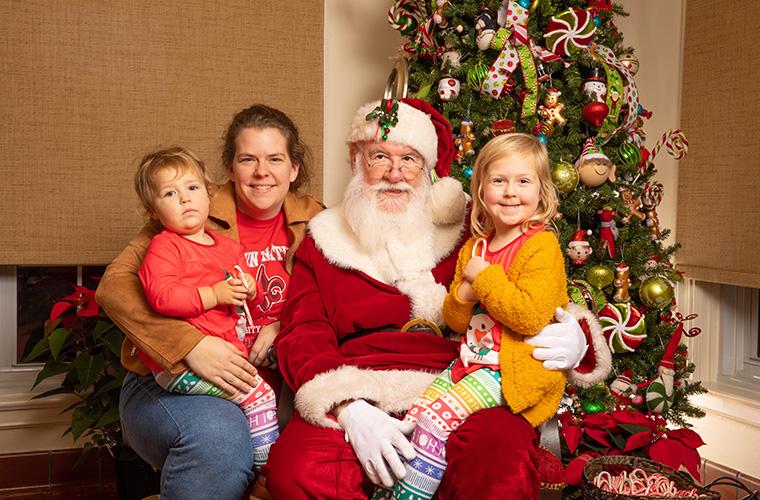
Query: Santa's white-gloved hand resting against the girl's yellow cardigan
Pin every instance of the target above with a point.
(561, 346)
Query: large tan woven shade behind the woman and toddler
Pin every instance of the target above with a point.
(89, 86)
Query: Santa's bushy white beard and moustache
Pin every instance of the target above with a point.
(376, 227)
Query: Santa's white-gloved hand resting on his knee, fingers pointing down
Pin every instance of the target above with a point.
(377, 440)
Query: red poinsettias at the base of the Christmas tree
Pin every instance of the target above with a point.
(627, 432)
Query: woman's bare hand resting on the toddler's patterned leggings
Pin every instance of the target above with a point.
(222, 364)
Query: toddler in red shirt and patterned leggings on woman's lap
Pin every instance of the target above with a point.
(200, 276)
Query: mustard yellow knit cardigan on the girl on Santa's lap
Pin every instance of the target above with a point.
(523, 300)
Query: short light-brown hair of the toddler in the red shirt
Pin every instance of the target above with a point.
(176, 158)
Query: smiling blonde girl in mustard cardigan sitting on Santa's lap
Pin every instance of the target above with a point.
(509, 280)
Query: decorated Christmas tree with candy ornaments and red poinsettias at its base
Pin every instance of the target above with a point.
(559, 70)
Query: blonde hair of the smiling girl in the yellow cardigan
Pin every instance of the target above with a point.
(498, 148)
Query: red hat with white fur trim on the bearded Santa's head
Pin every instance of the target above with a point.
(418, 125)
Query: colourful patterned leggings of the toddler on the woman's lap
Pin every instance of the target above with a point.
(259, 406)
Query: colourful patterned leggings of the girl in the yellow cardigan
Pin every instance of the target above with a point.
(440, 410)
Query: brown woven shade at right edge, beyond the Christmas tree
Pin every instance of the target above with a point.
(719, 181)
